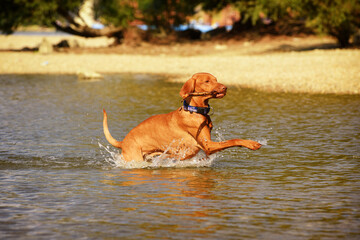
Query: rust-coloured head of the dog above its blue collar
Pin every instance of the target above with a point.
(203, 82)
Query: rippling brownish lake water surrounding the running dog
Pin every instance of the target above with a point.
(60, 179)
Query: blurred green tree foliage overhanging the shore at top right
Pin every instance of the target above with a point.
(339, 18)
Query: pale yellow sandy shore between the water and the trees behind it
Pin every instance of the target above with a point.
(247, 64)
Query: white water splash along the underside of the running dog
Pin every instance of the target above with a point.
(115, 159)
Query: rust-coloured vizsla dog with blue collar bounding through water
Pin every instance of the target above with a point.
(180, 134)
